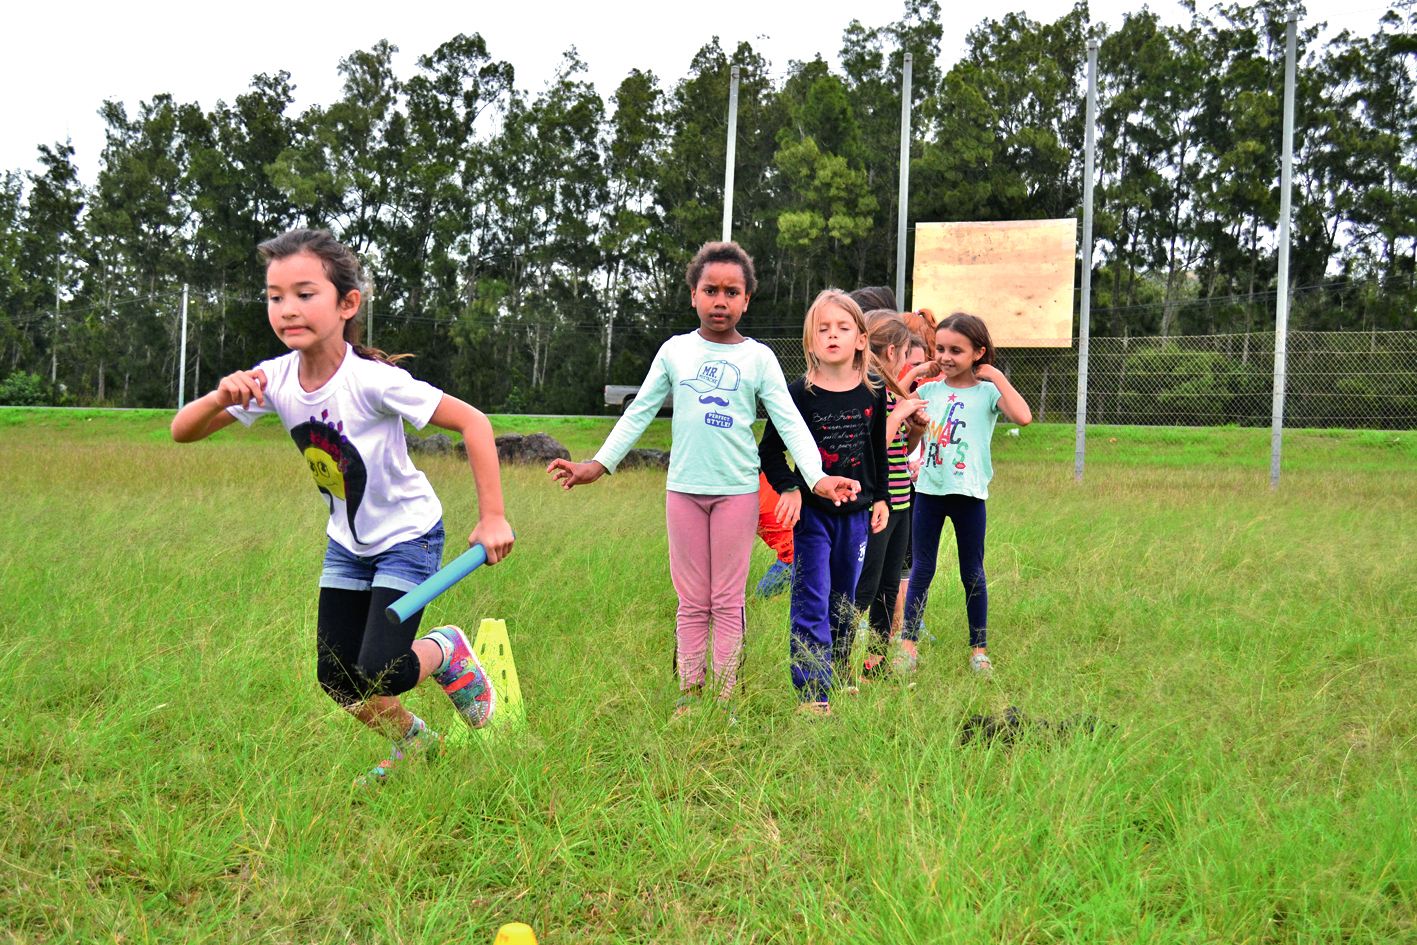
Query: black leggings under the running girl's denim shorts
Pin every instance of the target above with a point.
(359, 652)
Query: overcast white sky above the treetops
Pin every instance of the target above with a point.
(62, 60)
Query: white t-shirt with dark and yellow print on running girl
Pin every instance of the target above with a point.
(352, 436)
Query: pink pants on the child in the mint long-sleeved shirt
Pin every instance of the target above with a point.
(711, 542)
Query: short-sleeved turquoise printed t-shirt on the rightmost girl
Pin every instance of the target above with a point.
(957, 443)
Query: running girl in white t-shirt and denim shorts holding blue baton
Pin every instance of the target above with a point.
(345, 406)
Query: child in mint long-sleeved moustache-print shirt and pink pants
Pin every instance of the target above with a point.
(718, 378)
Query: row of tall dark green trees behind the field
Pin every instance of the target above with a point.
(529, 246)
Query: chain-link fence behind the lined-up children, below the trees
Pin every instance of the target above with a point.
(1336, 379)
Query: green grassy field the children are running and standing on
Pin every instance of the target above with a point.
(172, 773)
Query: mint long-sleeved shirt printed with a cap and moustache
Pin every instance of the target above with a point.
(716, 390)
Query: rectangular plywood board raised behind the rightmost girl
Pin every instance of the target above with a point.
(1017, 276)
